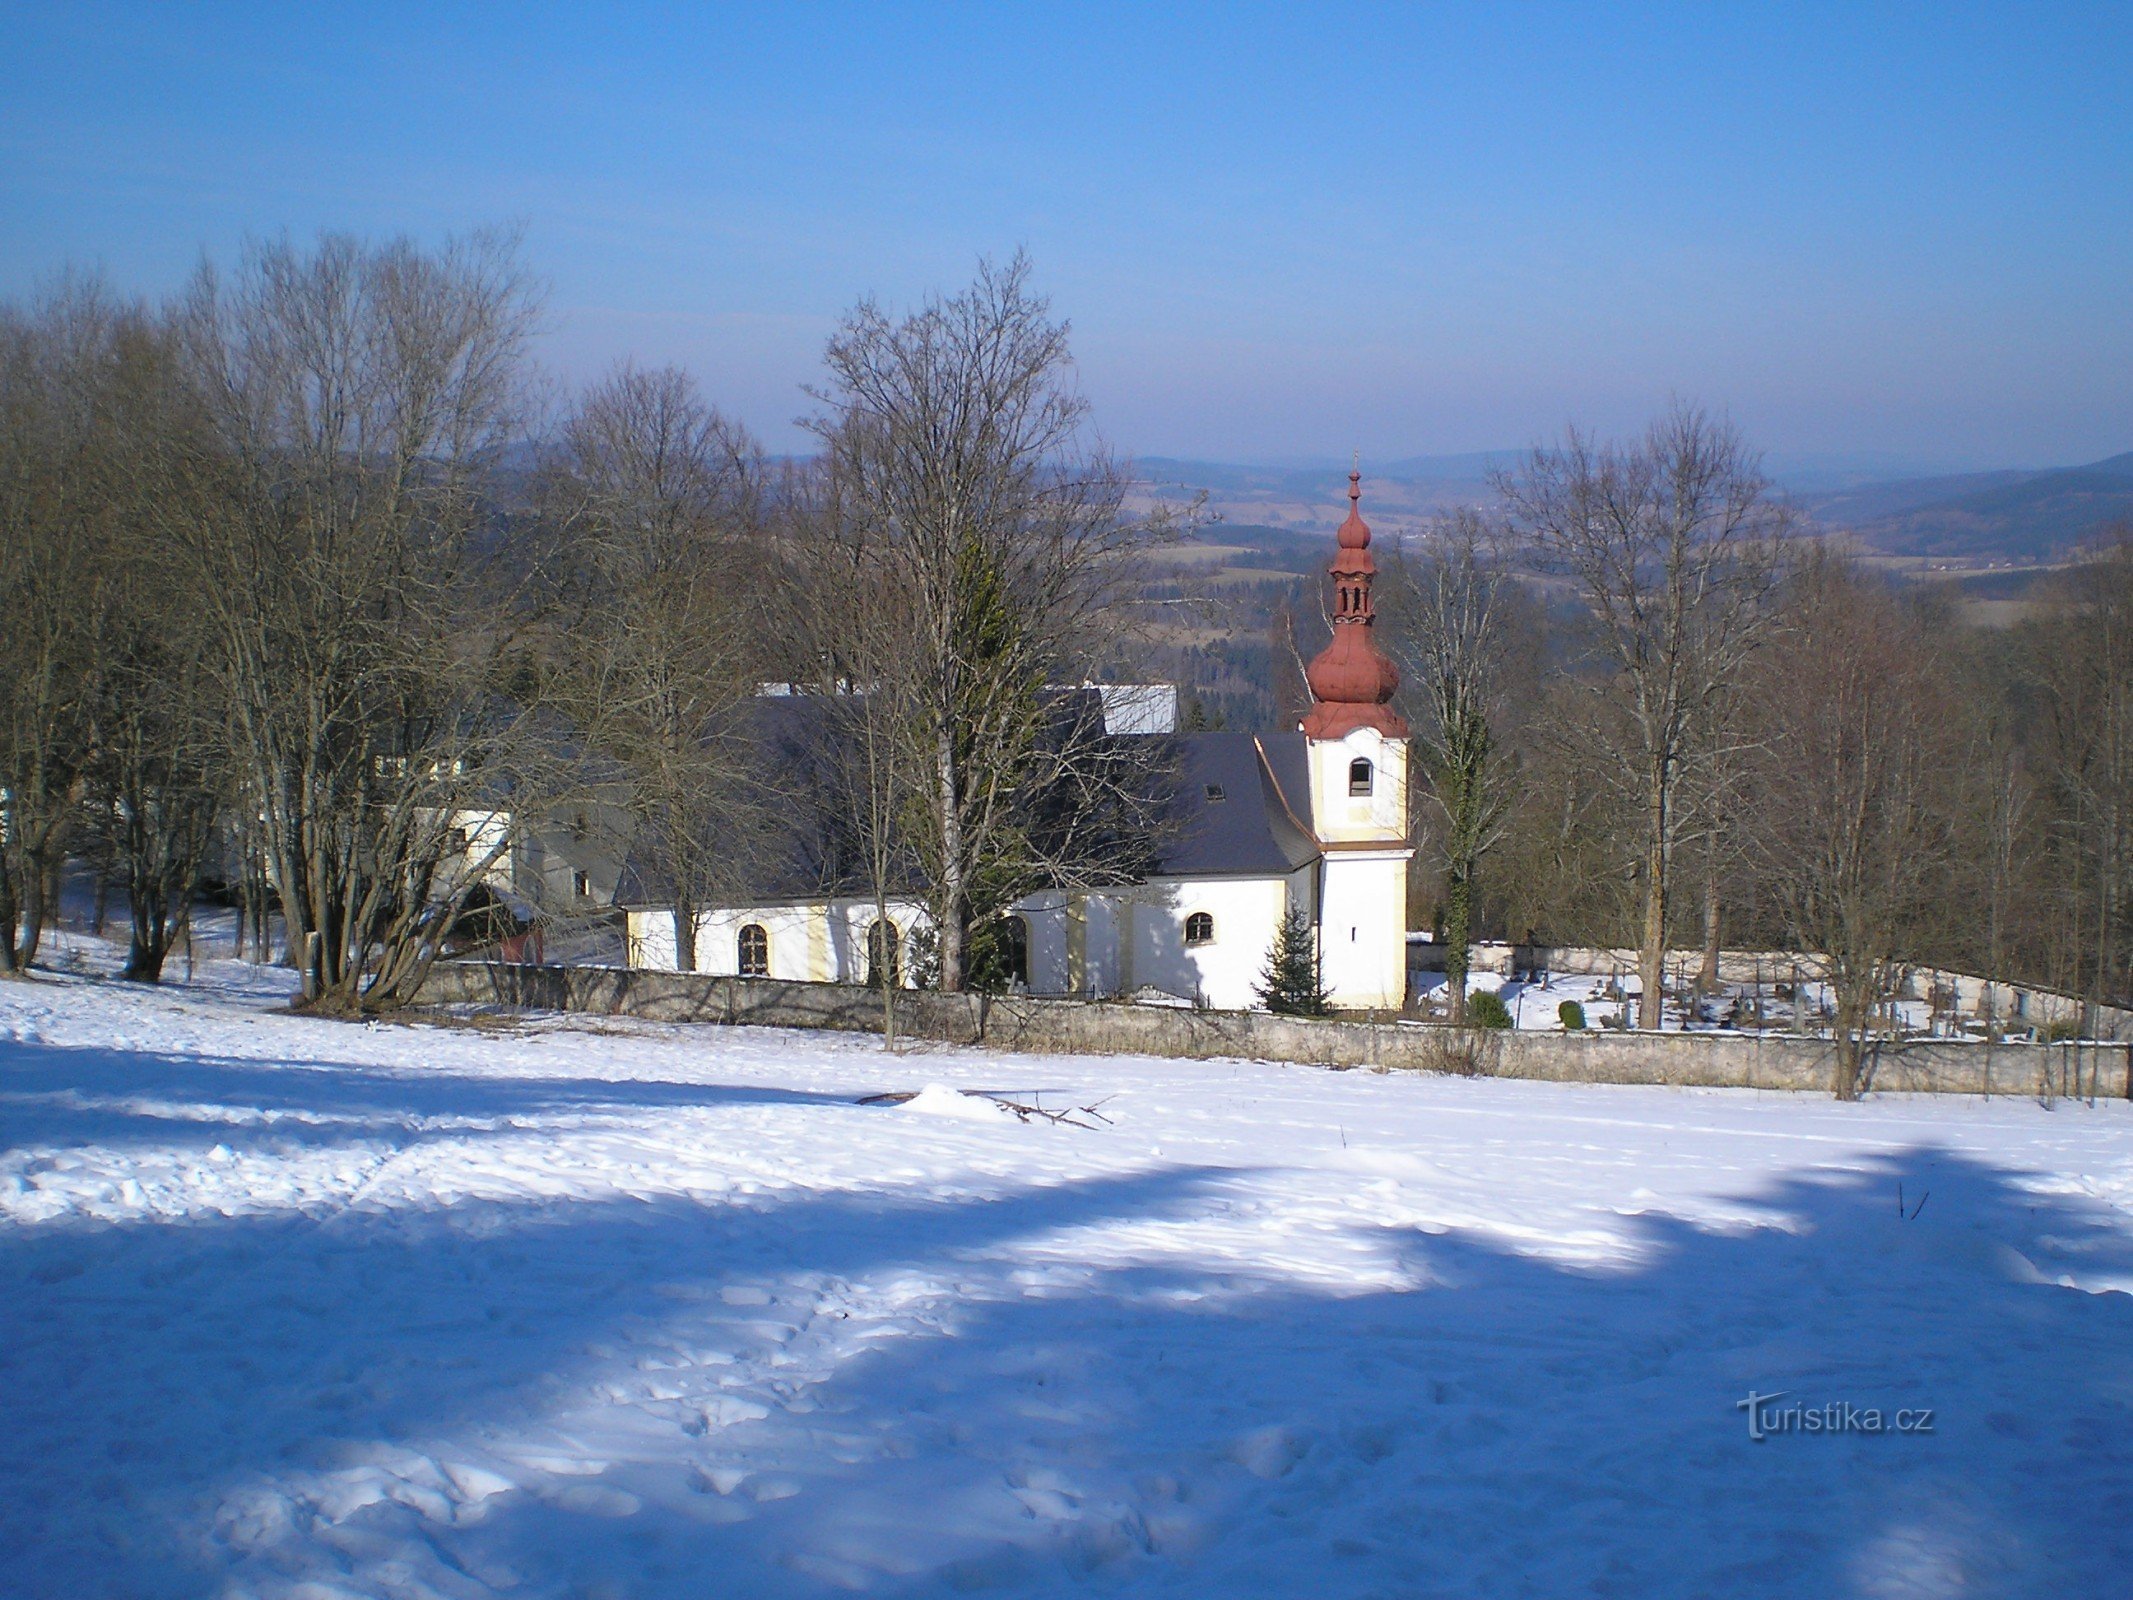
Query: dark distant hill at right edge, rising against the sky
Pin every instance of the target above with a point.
(1991, 515)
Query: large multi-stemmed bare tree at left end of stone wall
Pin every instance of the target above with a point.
(370, 639)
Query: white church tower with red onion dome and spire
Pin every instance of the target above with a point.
(1360, 790)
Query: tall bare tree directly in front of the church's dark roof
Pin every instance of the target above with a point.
(963, 449)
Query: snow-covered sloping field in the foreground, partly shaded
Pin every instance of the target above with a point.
(571, 1309)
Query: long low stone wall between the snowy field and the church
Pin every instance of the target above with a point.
(1089, 1027)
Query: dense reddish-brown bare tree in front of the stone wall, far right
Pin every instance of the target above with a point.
(1850, 795)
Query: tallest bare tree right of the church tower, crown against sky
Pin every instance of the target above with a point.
(1673, 547)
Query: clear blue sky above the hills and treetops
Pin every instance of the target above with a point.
(1885, 234)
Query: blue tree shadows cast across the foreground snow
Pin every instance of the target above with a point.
(1511, 1426)
